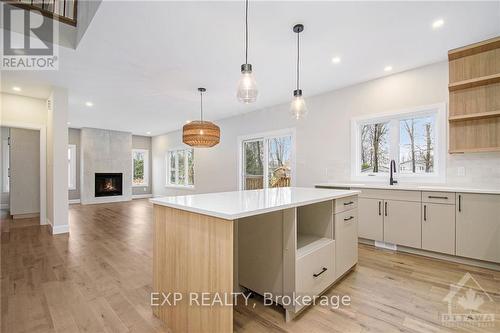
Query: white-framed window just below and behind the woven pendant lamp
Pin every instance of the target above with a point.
(180, 167)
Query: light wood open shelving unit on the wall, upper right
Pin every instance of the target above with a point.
(474, 115)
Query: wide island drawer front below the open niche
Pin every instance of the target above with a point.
(316, 270)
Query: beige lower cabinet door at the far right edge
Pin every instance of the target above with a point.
(478, 226)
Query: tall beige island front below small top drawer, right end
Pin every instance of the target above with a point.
(346, 241)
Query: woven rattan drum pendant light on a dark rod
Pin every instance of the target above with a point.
(201, 133)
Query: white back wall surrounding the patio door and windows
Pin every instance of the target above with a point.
(323, 139)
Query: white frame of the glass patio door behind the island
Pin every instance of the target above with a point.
(265, 136)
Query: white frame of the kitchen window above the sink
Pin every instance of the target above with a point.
(440, 143)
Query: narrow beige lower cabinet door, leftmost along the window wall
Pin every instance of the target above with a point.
(371, 218)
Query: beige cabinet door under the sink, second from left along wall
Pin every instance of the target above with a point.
(402, 223)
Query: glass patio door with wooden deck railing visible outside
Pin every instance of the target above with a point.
(267, 160)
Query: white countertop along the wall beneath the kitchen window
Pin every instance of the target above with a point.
(413, 187)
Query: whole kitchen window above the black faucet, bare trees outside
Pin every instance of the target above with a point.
(414, 139)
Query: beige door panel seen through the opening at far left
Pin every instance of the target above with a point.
(24, 171)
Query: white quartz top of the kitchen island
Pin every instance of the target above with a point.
(239, 204)
